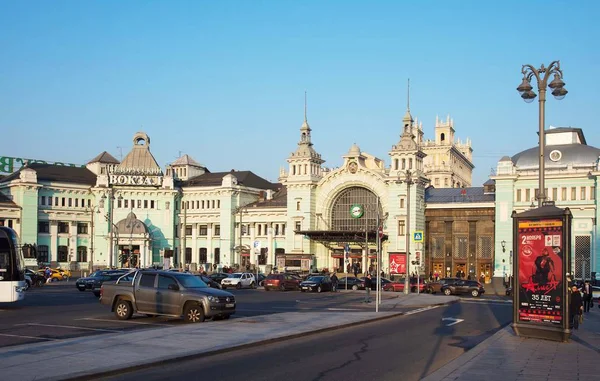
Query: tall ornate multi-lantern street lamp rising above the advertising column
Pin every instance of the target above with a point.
(558, 91)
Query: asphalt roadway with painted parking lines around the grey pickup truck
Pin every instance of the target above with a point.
(59, 311)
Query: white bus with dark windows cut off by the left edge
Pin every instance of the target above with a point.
(12, 269)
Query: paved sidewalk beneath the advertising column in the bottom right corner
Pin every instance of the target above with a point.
(507, 357)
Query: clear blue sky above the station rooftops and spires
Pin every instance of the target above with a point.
(224, 81)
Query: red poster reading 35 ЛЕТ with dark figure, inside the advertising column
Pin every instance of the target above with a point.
(540, 258)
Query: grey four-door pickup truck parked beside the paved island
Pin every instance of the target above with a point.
(166, 293)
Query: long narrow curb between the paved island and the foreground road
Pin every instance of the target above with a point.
(84, 376)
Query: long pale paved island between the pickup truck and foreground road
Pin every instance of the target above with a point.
(79, 358)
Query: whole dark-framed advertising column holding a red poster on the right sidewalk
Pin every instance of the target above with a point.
(542, 247)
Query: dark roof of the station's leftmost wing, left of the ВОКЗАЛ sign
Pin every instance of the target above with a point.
(57, 173)
